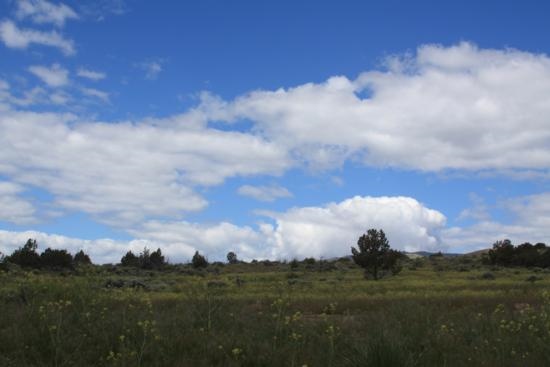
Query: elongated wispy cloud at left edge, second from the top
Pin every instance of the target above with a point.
(14, 37)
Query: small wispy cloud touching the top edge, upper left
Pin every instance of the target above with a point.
(41, 11)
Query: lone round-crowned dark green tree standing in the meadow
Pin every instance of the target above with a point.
(375, 255)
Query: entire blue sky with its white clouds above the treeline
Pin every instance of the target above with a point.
(274, 129)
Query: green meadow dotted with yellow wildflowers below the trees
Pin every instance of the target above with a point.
(435, 312)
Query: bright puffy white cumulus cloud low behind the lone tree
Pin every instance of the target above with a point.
(331, 230)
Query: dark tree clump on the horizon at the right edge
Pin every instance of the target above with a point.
(504, 253)
